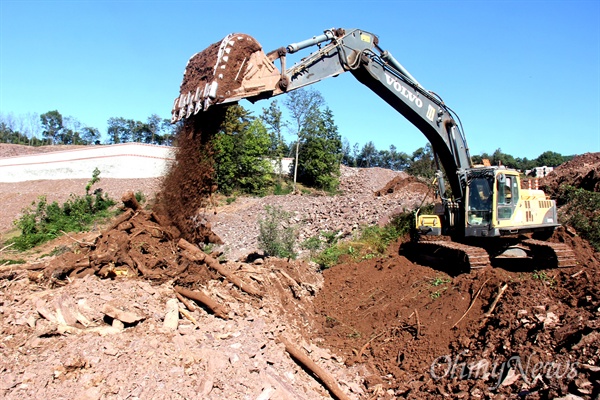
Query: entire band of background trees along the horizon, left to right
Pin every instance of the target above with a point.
(248, 149)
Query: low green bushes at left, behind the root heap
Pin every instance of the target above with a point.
(43, 222)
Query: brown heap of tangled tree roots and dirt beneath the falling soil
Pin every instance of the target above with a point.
(137, 243)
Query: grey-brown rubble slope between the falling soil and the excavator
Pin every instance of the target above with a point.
(344, 213)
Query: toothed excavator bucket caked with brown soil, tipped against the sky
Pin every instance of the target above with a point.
(227, 71)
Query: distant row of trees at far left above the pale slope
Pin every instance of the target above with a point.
(51, 128)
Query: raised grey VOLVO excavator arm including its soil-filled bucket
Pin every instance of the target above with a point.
(236, 68)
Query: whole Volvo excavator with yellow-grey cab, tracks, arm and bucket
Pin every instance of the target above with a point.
(486, 215)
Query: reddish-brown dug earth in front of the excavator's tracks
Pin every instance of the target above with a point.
(425, 334)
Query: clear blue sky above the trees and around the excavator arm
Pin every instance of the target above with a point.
(523, 76)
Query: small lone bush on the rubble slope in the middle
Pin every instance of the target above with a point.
(277, 235)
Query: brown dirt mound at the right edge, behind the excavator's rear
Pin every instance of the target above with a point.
(583, 172)
